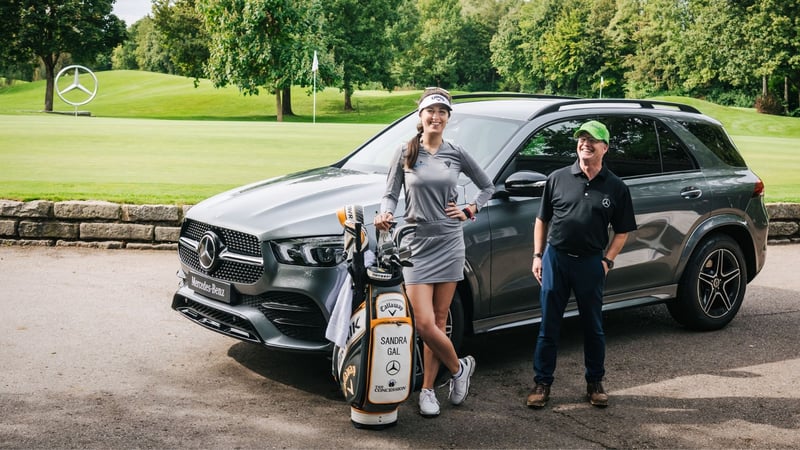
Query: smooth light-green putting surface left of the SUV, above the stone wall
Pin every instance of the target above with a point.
(157, 161)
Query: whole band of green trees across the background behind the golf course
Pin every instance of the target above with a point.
(738, 53)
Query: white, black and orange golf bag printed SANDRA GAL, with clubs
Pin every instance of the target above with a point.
(377, 366)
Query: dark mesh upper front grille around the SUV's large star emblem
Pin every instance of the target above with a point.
(236, 242)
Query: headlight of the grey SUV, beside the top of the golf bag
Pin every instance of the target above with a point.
(324, 251)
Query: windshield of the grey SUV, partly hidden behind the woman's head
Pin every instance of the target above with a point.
(481, 136)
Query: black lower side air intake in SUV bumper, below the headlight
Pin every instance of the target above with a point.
(295, 315)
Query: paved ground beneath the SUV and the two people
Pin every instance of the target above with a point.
(91, 356)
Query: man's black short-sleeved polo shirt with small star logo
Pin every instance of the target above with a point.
(579, 210)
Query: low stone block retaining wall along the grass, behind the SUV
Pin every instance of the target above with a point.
(112, 225)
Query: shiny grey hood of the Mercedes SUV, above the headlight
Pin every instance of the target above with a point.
(295, 205)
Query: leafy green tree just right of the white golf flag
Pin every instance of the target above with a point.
(357, 34)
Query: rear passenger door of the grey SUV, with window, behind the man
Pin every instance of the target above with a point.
(670, 195)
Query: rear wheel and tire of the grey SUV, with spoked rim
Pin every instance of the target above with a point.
(712, 286)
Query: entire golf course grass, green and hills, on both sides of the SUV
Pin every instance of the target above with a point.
(207, 140)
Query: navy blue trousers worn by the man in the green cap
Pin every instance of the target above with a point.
(562, 274)
